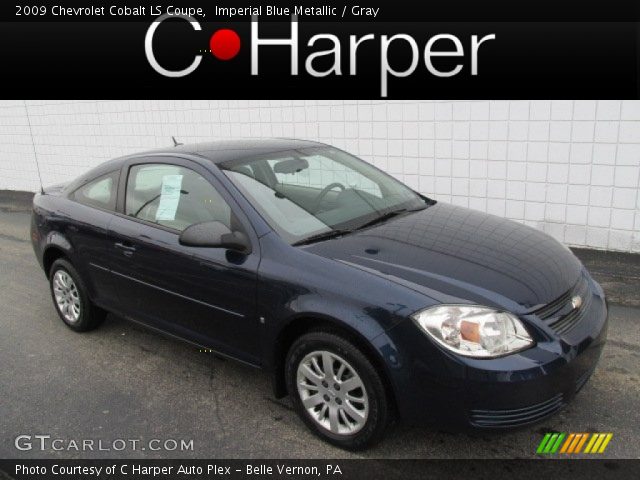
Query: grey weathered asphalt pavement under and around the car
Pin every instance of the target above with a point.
(123, 382)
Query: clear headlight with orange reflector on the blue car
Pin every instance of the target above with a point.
(474, 331)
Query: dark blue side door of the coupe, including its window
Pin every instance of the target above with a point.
(206, 295)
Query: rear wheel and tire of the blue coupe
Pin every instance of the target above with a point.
(70, 298)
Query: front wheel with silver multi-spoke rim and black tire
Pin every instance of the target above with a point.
(337, 391)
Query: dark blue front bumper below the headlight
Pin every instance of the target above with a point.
(435, 386)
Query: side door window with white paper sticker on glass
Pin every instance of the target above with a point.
(173, 196)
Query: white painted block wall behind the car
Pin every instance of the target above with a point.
(570, 168)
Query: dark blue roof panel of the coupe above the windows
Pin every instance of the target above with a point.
(228, 150)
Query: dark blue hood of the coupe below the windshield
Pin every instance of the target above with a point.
(455, 254)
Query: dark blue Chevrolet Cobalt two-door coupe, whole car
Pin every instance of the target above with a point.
(366, 300)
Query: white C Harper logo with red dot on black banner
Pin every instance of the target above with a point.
(442, 55)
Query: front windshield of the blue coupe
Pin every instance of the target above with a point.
(315, 192)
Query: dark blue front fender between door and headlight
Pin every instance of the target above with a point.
(298, 290)
